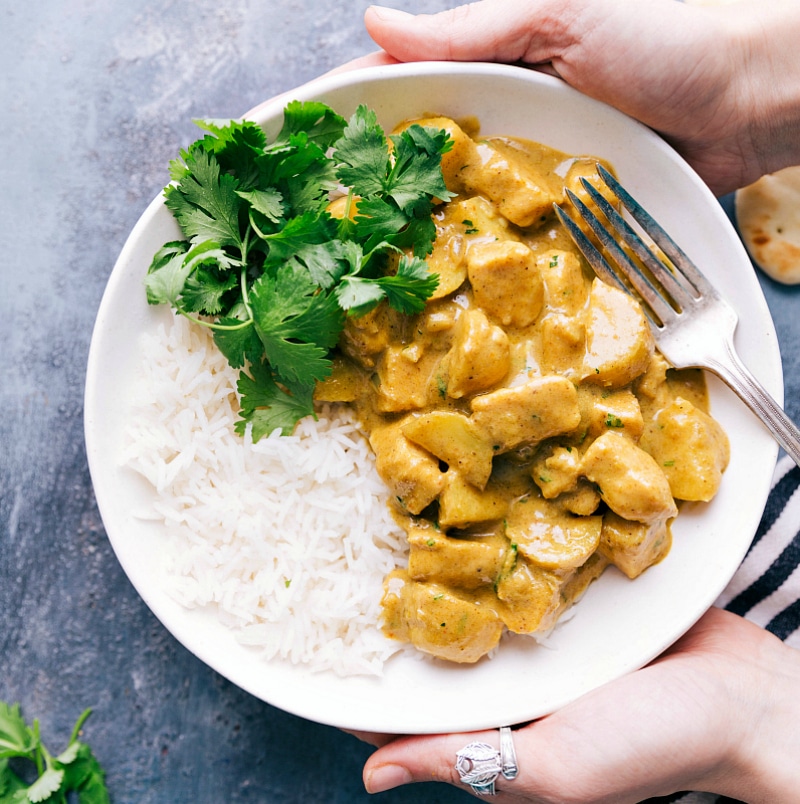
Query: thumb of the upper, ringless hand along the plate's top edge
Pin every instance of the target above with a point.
(489, 30)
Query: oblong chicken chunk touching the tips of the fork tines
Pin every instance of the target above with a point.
(521, 196)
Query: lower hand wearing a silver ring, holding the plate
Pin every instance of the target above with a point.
(719, 711)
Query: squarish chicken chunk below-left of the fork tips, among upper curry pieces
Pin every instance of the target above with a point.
(506, 282)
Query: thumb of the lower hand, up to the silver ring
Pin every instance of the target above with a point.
(428, 759)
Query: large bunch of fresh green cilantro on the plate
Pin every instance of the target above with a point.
(270, 271)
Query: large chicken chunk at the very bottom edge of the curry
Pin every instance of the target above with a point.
(438, 621)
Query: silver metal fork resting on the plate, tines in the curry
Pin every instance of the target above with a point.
(692, 324)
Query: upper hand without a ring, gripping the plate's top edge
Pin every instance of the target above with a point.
(721, 84)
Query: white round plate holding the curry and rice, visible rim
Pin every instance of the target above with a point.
(619, 625)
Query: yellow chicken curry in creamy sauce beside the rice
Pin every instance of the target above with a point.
(529, 432)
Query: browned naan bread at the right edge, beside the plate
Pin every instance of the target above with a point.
(768, 216)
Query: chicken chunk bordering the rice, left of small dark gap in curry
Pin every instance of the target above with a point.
(412, 474)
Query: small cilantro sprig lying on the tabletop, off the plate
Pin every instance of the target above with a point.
(74, 770)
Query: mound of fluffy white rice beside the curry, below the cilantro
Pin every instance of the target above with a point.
(290, 538)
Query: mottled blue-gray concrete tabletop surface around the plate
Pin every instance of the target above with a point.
(96, 97)
